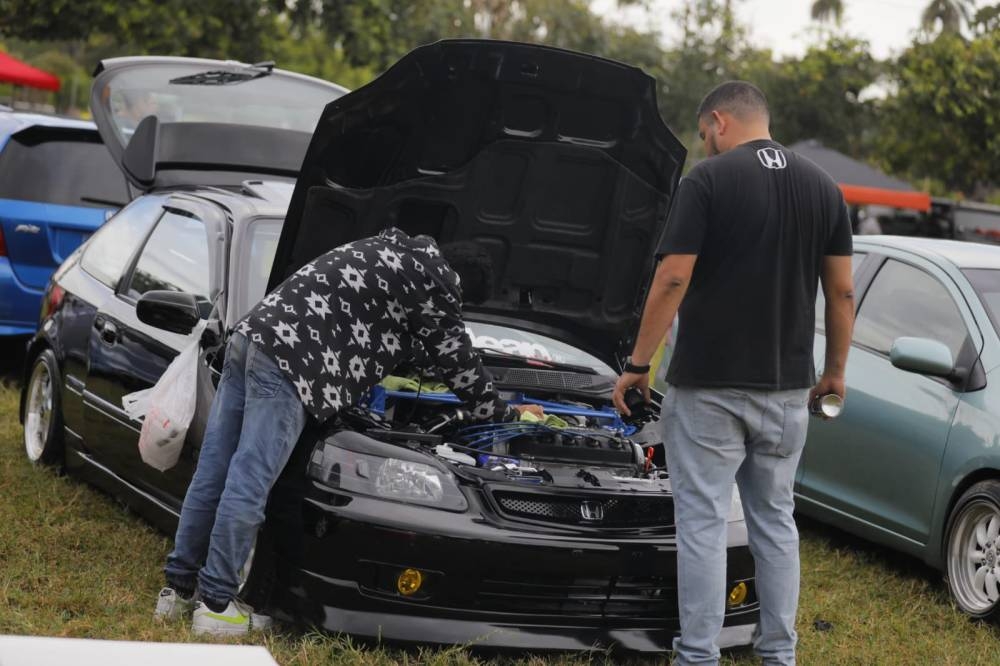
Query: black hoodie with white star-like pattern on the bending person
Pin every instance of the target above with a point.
(345, 320)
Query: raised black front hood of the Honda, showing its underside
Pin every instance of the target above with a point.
(558, 163)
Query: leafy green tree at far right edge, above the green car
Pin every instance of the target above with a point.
(943, 120)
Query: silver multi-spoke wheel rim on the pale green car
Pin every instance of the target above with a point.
(974, 557)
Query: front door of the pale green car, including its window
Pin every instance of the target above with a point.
(877, 464)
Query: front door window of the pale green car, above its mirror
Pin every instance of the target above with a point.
(906, 301)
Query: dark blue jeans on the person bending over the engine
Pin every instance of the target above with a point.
(254, 424)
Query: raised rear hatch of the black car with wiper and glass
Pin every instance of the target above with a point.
(192, 121)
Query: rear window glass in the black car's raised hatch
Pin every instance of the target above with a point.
(213, 92)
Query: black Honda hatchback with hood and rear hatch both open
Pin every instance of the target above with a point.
(405, 520)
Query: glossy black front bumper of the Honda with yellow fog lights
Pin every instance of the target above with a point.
(486, 584)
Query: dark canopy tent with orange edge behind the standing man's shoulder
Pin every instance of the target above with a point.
(863, 185)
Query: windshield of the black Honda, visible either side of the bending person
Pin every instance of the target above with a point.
(254, 267)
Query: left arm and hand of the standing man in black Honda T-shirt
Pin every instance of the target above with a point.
(670, 283)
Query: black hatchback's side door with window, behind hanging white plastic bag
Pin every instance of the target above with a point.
(129, 355)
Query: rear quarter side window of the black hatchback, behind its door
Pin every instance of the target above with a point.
(108, 252)
